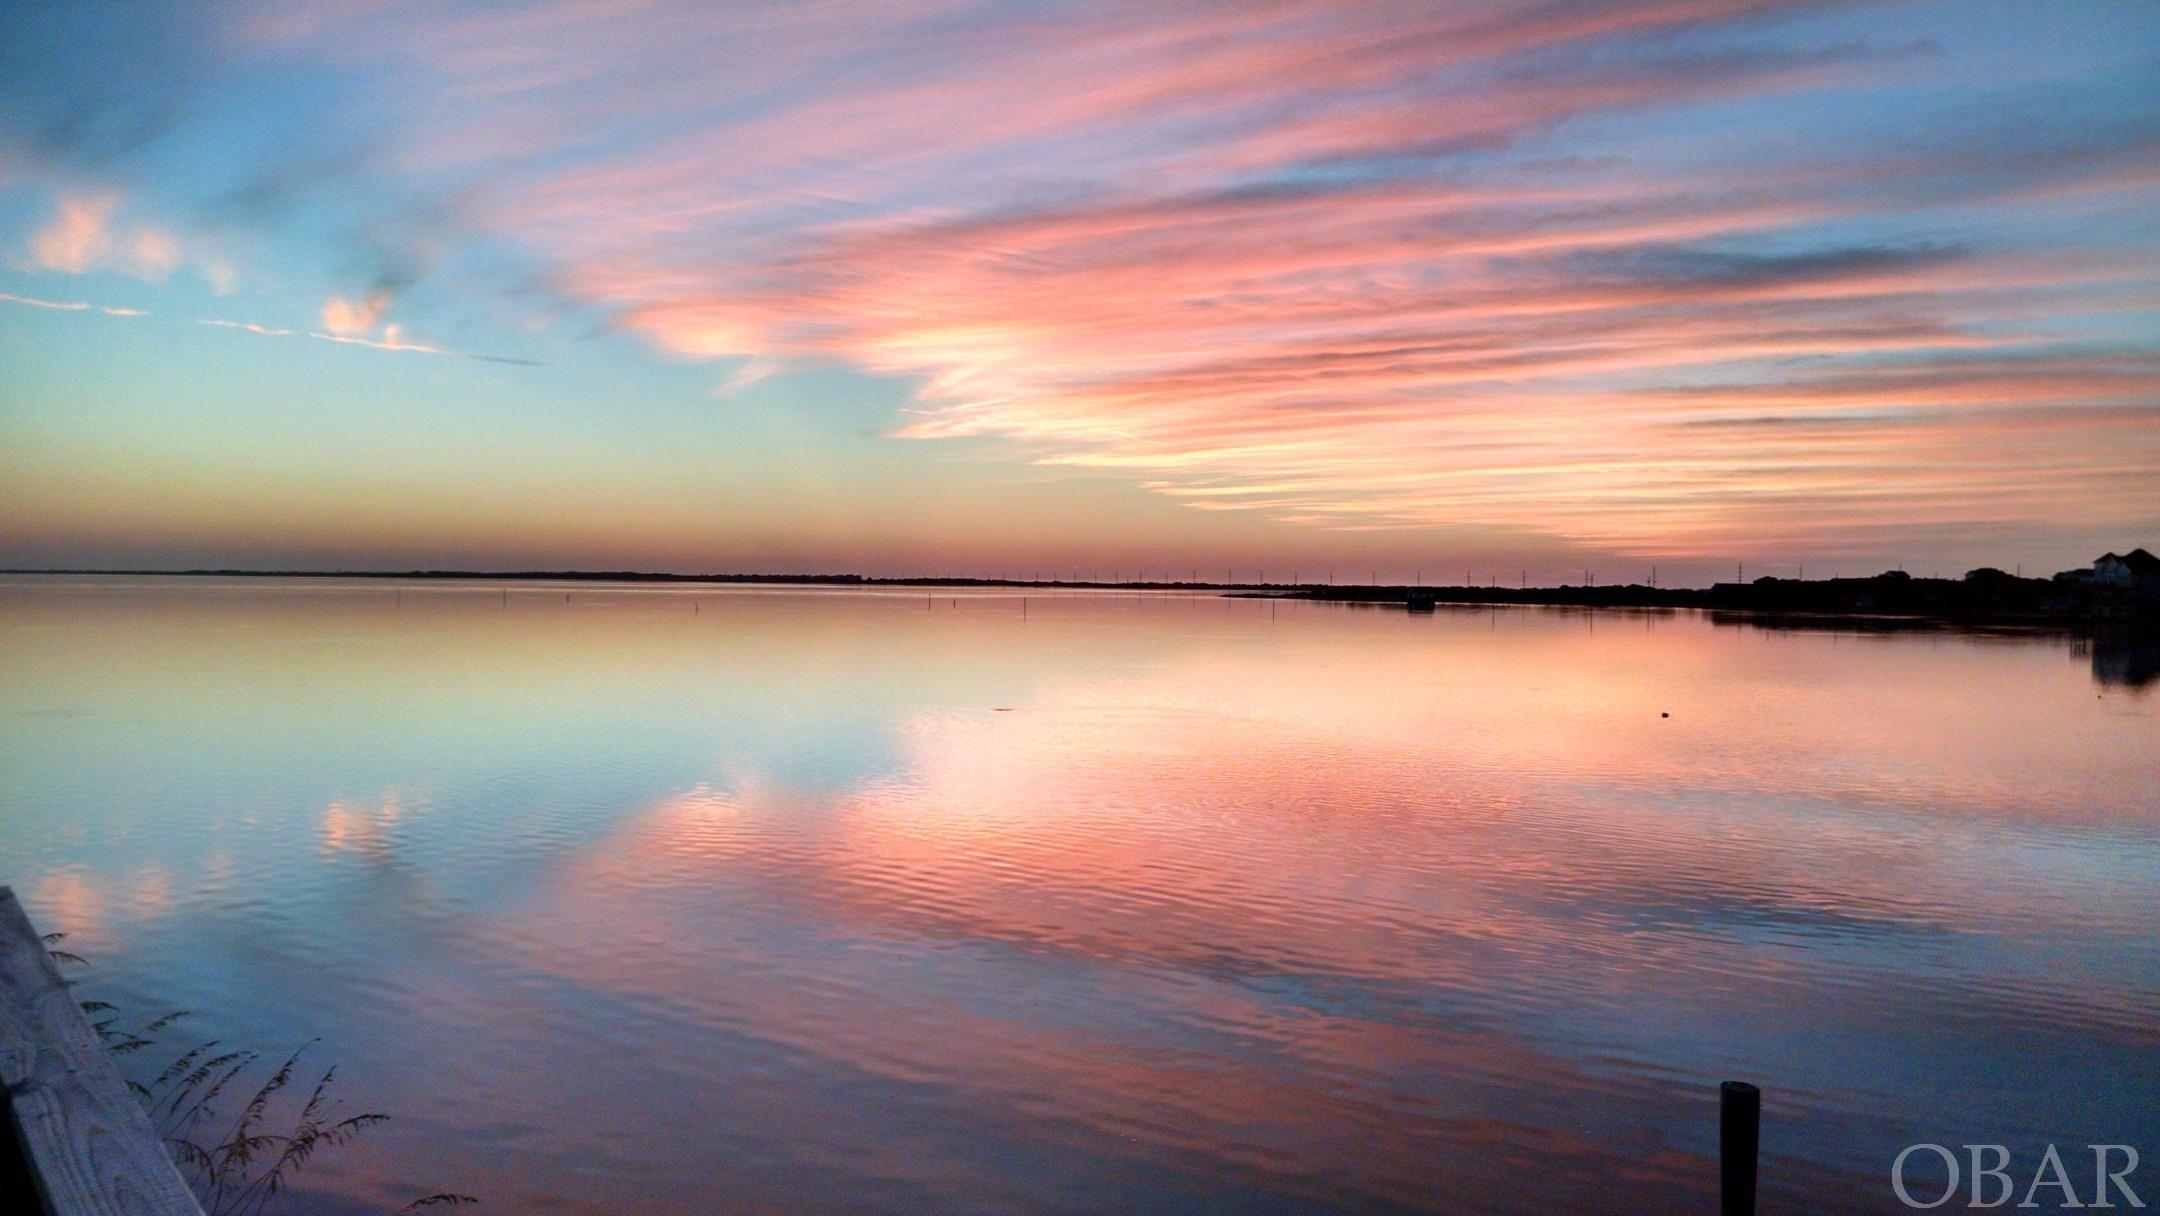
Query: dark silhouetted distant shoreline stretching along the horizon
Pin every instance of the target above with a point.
(1889, 599)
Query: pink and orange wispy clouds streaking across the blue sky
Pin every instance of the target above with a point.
(1649, 275)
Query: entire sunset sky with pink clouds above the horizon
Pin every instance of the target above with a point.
(1360, 288)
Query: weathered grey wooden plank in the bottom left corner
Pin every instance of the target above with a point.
(87, 1141)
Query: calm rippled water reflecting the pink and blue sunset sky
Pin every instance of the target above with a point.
(839, 902)
